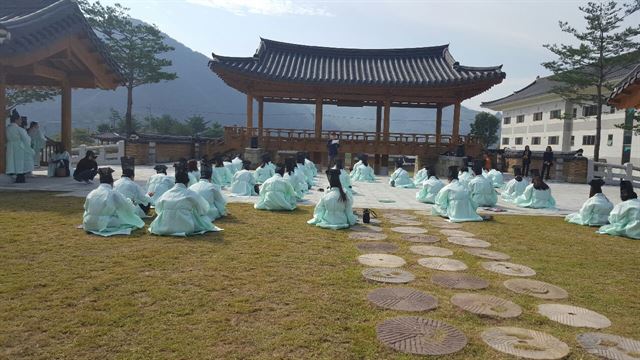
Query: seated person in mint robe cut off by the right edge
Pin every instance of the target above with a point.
(624, 219)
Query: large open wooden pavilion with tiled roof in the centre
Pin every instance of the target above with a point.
(426, 77)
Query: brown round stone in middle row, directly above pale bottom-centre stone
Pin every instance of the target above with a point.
(486, 305)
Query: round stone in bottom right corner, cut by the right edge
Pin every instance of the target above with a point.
(609, 346)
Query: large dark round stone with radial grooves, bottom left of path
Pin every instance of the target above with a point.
(420, 336)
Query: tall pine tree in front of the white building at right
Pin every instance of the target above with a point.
(584, 70)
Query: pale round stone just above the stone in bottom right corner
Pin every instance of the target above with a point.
(574, 316)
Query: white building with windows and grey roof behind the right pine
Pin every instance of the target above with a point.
(535, 116)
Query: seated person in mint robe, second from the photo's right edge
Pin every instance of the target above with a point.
(595, 211)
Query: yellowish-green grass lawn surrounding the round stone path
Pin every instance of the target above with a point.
(269, 286)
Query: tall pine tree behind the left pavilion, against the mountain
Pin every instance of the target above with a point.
(135, 47)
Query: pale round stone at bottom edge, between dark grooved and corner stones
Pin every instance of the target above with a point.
(525, 343)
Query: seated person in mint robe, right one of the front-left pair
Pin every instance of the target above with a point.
(181, 212)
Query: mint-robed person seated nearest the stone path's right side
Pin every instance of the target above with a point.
(454, 201)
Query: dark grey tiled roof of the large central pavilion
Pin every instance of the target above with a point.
(426, 66)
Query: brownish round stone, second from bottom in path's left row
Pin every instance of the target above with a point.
(402, 299)
